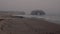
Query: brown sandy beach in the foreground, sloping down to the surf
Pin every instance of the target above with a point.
(28, 26)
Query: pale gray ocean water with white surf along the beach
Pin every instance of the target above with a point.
(49, 18)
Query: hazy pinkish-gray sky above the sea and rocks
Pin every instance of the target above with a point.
(49, 6)
